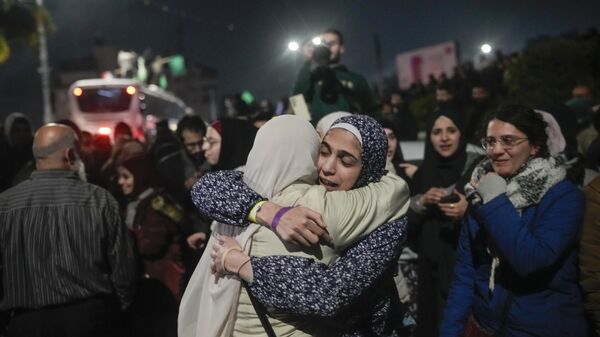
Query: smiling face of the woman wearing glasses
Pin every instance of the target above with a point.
(506, 160)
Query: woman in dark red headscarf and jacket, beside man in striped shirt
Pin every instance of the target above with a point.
(156, 221)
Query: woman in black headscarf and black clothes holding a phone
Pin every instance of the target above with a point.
(437, 208)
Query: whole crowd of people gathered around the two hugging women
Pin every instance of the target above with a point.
(252, 225)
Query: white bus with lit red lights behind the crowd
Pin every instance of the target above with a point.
(97, 105)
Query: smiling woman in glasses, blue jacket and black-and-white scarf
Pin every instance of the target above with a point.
(516, 269)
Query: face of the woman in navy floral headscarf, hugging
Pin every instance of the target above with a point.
(340, 161)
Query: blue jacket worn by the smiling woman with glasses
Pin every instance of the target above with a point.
(538, 266)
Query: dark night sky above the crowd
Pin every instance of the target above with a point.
(246, 40)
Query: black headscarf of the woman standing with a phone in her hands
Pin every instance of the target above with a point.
(437, 171)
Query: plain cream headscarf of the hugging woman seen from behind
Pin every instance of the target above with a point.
(284, 152)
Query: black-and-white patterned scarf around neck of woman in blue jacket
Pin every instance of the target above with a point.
(526, 188)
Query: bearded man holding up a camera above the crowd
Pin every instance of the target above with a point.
(329, 86)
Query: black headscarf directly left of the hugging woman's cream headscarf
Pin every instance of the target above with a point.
(237, 137)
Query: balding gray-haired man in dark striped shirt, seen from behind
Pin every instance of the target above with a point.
(68, 261)
